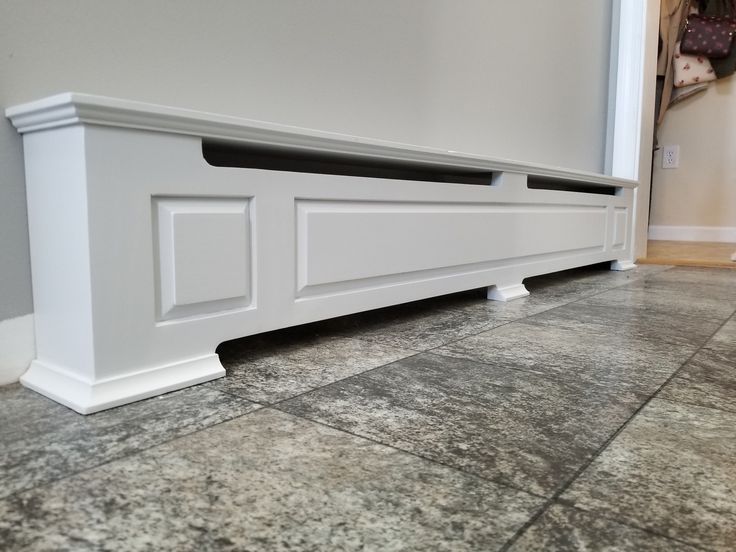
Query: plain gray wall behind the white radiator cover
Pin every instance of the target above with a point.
(520, 79)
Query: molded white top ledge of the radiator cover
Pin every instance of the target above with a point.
(72, 108)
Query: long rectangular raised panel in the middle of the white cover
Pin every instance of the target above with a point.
(342, 241)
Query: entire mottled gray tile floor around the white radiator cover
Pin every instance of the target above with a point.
(597, 414)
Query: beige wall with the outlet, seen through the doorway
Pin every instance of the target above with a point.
(702, 191)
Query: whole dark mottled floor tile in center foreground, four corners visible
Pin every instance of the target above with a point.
(508, 425)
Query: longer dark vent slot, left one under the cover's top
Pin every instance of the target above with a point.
(250, 157)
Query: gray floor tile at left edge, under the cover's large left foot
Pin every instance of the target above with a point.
(43, 441)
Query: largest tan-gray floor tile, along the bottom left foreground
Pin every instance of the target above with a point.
(267, 482)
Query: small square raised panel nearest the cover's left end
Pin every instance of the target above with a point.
(203, 251)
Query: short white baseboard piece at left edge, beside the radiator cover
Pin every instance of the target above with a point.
(17, 347)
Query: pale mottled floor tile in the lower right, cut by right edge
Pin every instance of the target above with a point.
(670, 471)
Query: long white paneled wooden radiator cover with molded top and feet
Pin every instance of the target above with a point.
(145, 257)
